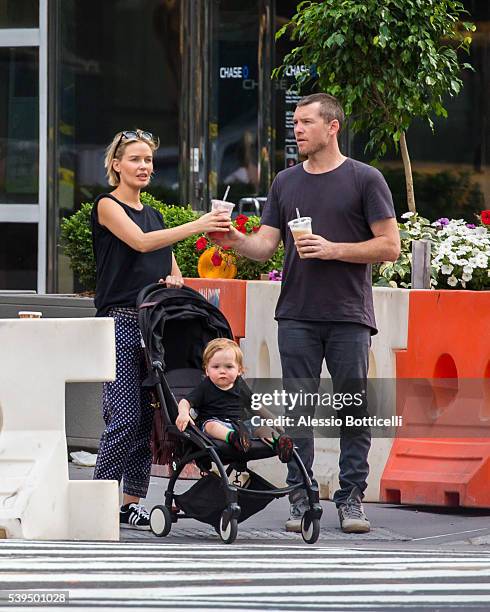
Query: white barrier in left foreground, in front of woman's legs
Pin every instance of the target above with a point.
(37, 499)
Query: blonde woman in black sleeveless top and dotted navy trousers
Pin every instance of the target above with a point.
(132, 249)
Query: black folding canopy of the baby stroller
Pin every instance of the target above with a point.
(176, 325)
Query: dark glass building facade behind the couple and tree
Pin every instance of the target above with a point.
(196, 73)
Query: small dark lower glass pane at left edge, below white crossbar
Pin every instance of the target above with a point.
(18, 255)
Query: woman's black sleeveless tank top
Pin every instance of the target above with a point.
(121, 271)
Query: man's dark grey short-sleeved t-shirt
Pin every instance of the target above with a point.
(342, 204)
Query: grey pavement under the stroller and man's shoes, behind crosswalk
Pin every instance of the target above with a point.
(392, 527)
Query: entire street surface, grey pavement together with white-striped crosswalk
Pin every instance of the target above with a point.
(413, 559)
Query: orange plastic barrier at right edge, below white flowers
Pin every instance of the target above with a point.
(449, 464)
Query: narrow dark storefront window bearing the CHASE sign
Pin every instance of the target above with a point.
(234, 99)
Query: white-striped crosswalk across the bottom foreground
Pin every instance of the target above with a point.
(246, 577)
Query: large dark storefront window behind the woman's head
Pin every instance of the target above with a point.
(118, 67)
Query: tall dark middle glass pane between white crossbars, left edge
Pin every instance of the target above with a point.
(19, 125)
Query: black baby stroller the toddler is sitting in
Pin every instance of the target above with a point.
(176, 325)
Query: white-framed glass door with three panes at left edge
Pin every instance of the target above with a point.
(23, 99)
